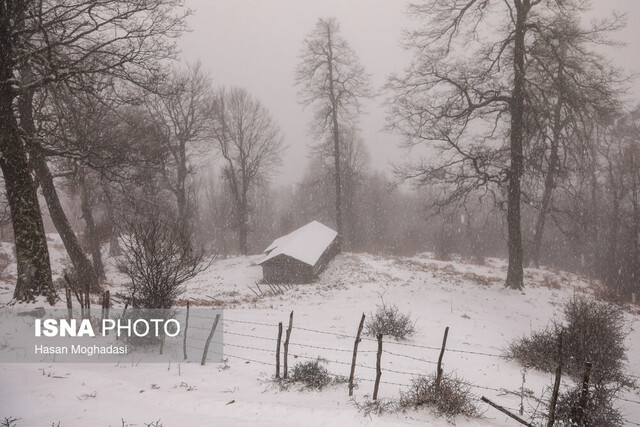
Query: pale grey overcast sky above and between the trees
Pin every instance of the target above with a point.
(255, 44)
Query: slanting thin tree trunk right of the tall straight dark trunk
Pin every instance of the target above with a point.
(550, 179)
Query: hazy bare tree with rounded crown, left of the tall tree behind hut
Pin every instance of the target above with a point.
(250, 144)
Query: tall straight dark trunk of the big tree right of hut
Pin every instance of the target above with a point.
(515, 273)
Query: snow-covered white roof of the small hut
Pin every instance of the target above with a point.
(306, 244)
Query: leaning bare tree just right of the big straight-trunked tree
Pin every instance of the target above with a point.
(571, 86)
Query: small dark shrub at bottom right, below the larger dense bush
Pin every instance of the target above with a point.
(599, 411)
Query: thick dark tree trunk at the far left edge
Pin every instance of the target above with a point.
(32, 254)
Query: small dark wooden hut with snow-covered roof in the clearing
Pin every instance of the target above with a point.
(299, 256)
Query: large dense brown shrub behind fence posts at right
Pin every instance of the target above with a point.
(592, 330)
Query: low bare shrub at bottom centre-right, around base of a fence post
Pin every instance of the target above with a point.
(452, 398)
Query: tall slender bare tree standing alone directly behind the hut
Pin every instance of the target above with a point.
(331, 80)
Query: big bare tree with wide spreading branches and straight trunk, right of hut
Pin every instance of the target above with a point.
(478, 70)
